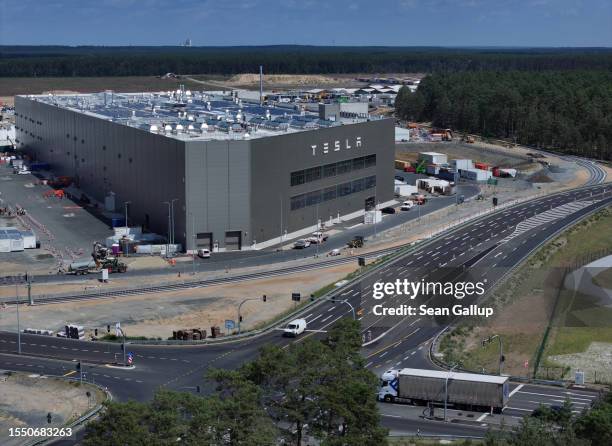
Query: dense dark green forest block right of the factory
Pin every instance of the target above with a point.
(568, 111)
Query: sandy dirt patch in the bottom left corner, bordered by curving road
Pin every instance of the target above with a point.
(28, 398)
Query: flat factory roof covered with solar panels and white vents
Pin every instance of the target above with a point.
(188, 115)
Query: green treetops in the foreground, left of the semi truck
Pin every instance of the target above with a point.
(315, 388)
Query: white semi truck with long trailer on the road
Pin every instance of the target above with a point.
(465, 390)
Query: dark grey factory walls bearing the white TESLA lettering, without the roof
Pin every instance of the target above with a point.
(227, 193)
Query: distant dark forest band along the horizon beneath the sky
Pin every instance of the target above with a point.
(30, 61)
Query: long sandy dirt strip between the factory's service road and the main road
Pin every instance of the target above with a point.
(157, 315)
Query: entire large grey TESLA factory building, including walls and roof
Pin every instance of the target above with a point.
(242, 176)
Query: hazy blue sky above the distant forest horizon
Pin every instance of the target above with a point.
(526, 23)
